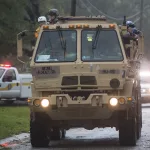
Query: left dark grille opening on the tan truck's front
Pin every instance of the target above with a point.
(70, 80)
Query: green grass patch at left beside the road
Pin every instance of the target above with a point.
(13, 120)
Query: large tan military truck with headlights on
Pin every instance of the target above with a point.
(82, 77)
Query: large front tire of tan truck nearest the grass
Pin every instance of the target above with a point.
(38, 134)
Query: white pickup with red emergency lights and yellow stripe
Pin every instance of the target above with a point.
(14, 86)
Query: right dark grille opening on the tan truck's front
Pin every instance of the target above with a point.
(88, 80)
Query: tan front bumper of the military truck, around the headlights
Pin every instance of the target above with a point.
(96, 106)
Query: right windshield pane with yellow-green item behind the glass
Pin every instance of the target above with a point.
(107, 47)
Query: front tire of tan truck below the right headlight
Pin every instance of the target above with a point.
(128, 132)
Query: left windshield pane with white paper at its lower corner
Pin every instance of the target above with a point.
(57, 45)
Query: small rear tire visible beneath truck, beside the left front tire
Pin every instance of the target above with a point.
(56, 133)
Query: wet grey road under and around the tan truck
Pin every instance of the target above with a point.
(104, 139)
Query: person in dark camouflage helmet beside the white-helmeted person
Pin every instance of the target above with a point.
(53, 16)
